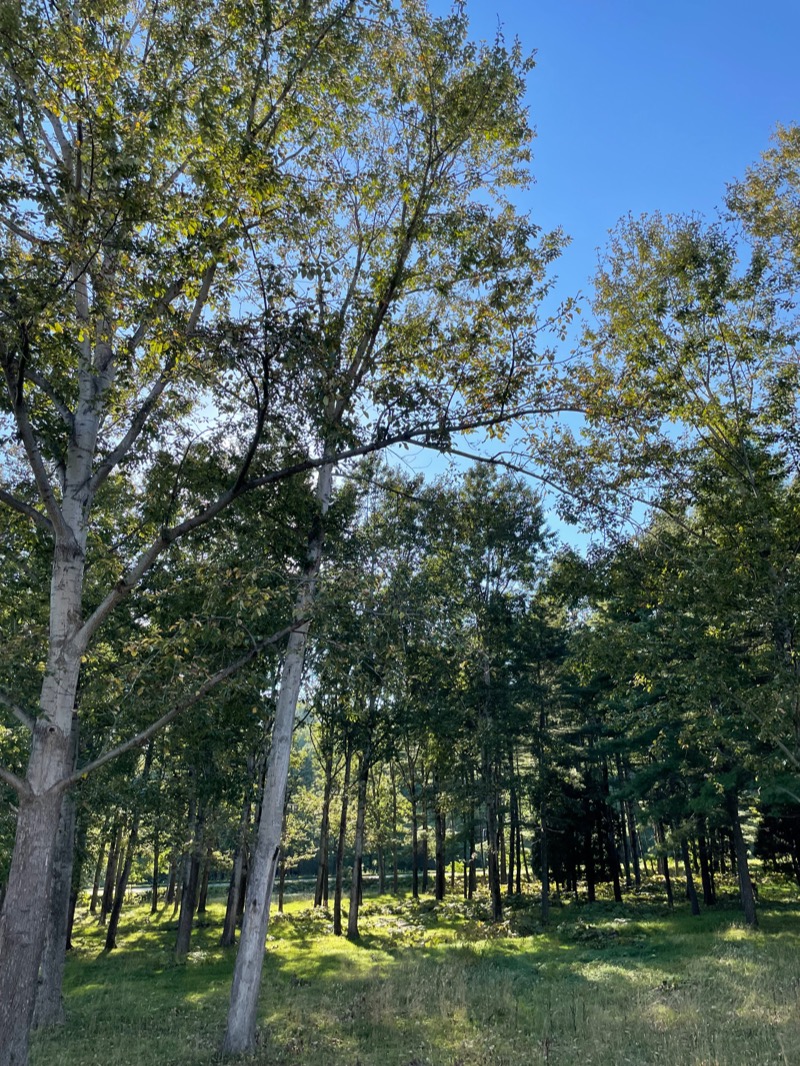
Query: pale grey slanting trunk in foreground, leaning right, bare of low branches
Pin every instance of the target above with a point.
(242, 1025)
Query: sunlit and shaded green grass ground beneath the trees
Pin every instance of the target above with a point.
(438, 986)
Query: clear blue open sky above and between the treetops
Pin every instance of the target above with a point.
(645, 106)
